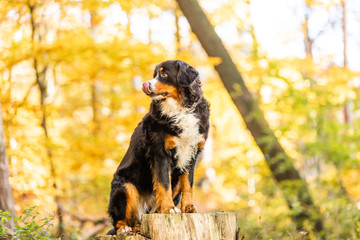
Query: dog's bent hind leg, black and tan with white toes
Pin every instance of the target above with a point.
(123, 208)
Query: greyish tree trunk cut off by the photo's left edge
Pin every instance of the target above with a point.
(6, 197)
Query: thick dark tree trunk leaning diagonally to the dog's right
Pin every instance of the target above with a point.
(295, 189)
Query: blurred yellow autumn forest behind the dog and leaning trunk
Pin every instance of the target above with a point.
(70, 89)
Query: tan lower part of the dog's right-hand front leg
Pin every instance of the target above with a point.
(187, 205)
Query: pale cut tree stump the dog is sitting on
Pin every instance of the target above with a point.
(185, 226)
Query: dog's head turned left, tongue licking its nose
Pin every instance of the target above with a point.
(174, 79)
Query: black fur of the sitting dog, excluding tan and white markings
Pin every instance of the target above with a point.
(146, 155)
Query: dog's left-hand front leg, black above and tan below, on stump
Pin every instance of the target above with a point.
(162, 188)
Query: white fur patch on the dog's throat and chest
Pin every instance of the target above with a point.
(186, 143)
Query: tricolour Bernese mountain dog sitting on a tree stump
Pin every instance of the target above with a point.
(157, 171)
